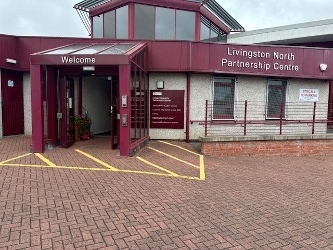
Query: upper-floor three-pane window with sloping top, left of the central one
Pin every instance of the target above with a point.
(112, 24)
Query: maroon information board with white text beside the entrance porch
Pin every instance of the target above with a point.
(167, 109)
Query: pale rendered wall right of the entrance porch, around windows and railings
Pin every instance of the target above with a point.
(250, 88)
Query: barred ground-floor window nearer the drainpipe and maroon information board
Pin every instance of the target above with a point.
(223, 98)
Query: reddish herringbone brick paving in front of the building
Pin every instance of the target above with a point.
(244, 203)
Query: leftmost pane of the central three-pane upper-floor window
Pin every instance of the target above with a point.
(144, 21)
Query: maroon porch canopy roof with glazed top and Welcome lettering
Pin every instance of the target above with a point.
(88, 54)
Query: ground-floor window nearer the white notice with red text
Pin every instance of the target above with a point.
(276, 98)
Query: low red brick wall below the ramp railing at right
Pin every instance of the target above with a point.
(288, 147)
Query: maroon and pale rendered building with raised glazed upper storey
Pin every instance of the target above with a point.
(160, 70)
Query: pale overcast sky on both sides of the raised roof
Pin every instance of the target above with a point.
(58, 18)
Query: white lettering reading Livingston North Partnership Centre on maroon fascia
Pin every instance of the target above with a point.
(285, 60)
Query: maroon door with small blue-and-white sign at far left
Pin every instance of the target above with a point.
(12, 102)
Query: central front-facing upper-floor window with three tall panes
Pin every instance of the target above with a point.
(163, 23)
